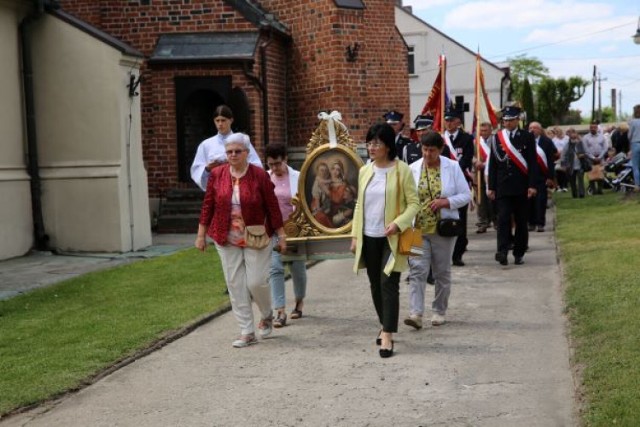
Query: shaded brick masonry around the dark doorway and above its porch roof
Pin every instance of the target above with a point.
(139, 23)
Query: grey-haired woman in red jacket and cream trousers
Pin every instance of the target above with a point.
(238, 195)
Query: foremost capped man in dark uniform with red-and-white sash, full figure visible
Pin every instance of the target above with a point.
(512, 180)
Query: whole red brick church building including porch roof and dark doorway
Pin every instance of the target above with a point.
(277, 63)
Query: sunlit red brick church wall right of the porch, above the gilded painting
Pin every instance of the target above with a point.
(320, 77)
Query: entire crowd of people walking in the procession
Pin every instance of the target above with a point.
(424, 182)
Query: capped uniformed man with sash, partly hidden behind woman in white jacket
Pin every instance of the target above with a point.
(462, 143)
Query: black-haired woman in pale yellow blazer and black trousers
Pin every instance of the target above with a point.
(377, 224)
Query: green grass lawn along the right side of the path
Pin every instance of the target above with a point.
(599, 239)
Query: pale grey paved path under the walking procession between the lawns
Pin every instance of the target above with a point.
(501, 360)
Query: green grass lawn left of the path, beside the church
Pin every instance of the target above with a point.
(53, 339)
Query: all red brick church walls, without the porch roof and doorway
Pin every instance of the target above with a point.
(309, 75)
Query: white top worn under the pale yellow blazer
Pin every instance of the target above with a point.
(374, 202)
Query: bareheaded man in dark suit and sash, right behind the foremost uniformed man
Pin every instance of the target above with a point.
(545, 157)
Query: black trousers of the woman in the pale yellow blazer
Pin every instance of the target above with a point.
(385, 290)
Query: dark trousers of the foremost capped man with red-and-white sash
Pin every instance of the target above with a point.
(517, 206)
